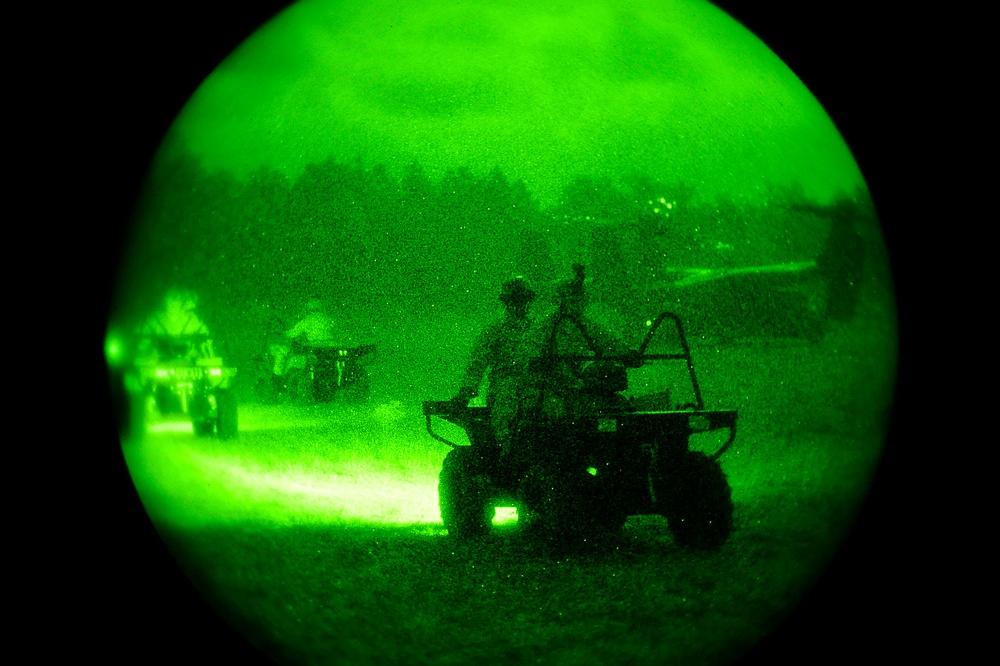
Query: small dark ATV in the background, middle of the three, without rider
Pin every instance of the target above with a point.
(317, 373)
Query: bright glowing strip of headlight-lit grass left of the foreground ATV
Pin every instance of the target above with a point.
(266, 479)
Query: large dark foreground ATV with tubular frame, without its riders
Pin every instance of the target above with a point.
(629, 455)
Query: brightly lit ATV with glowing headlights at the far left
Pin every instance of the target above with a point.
(196, 385)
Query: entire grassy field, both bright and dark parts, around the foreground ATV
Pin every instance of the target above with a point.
(316, 532)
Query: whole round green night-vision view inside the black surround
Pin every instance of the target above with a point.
(503, 332)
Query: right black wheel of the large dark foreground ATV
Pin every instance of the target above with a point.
(693, 494)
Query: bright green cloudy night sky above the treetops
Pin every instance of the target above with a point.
(675, 91)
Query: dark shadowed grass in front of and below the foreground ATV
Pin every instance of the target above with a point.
(362, 594)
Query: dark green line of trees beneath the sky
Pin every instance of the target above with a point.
(366, 240)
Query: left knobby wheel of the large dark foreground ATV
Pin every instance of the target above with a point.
(464, 495)
